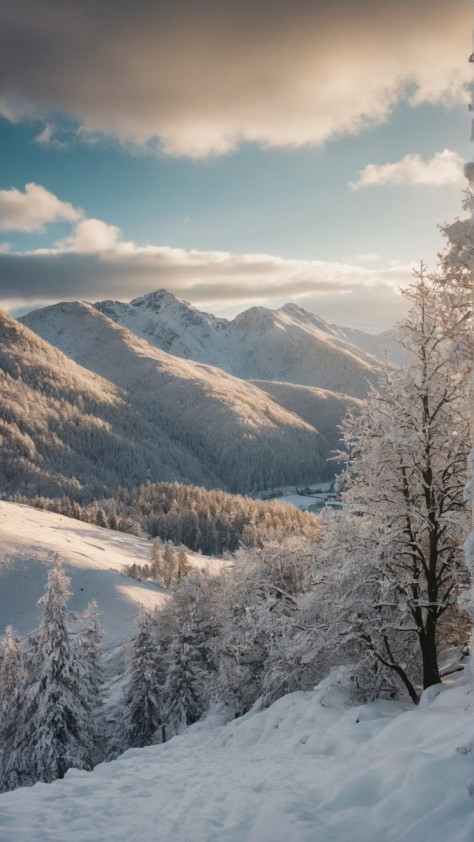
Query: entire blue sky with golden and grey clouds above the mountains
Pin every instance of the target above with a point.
(236, 153)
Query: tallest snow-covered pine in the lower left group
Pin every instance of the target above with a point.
(54, 730)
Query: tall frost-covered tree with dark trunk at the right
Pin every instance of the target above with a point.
(405, 474)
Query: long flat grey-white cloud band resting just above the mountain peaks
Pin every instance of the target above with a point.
(207, 279)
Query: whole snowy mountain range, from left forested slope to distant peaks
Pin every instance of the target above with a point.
(94, 396)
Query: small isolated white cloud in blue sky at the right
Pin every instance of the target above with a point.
(444, 169)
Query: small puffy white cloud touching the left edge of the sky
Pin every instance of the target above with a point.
(34, 209)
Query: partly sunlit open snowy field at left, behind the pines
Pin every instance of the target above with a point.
(94, 559)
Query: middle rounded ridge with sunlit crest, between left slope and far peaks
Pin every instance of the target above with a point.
(236, 432)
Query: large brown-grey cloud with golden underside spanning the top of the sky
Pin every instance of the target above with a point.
(199, 79)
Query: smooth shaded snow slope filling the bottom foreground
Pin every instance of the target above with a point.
(311, 768)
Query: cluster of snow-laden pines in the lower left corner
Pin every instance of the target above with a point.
(49, 694)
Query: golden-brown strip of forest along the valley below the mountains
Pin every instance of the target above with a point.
(213, 522)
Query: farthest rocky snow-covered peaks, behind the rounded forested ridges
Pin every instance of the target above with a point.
(289, 344)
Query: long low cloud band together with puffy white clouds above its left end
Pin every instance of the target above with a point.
(94, 262)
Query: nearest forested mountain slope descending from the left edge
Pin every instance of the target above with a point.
(68, 431)
